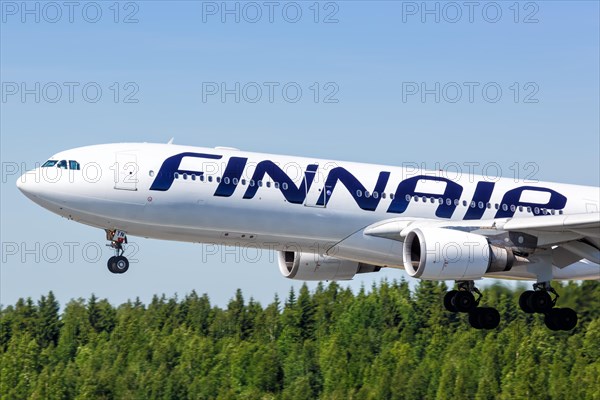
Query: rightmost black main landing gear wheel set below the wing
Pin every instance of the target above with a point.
(539, 301)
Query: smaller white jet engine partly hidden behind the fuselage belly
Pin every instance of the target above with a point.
(315, 267)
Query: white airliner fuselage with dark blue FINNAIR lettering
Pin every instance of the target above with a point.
(222, 195)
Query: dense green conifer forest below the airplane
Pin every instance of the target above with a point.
(385, 342)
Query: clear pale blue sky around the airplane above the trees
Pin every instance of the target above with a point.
(364, 65)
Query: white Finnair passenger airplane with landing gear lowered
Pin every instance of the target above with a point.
(331, 220)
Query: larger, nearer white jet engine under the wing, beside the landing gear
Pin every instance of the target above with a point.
(439, 254)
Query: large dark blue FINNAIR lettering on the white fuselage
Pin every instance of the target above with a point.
(366, 200)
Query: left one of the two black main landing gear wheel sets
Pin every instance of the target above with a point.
(463, 300)
